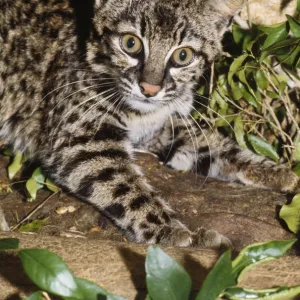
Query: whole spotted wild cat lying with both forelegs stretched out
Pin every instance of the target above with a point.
(79, 97)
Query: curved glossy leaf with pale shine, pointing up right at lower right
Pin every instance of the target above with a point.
(255, 253)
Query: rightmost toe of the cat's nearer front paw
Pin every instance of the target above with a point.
(208, 238)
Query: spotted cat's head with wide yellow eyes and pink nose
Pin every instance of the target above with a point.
(156, 50)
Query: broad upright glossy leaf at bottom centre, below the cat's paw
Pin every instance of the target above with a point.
(166, 279)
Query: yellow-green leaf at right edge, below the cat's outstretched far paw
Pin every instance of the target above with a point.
(291, 214)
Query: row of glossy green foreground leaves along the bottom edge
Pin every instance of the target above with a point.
(166, 279)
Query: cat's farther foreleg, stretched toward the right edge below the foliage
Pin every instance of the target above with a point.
(183, 145)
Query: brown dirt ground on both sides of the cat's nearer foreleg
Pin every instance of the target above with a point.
(244, 214)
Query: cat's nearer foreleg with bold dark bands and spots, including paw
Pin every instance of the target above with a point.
(99, 169)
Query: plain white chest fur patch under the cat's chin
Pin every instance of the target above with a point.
(141, 129)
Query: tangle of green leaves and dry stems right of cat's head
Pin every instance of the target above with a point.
(253, 92)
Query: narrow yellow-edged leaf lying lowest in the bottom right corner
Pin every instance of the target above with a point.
(282, 293)
